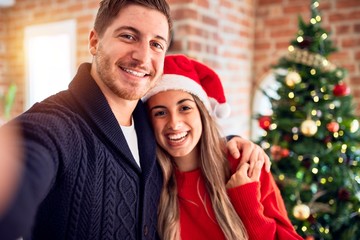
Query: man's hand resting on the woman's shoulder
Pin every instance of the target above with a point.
(247, 152)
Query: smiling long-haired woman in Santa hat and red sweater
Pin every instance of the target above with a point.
(205, 194)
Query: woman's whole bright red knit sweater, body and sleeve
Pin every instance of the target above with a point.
(259, 205)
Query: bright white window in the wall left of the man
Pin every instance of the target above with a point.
(50, 52)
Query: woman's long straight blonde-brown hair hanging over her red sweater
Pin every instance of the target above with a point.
(215, 170)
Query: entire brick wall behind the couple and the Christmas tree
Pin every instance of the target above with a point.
(238, 38)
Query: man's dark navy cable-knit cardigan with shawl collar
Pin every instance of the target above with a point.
(80, 180)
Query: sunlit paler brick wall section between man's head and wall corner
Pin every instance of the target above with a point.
(220, 34)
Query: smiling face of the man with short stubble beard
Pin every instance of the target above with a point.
(129, 57)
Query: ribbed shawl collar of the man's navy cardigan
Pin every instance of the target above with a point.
(97, 112)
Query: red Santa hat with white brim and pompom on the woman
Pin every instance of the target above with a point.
(182, 73)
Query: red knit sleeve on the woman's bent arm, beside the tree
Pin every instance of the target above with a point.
(262, 210)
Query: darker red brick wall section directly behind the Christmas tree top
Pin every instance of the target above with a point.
(276, 24)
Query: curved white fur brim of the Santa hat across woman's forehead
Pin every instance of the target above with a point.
(179, 82)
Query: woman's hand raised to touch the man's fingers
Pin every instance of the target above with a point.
(241, 177)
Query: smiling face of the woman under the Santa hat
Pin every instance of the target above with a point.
(177, 124)
